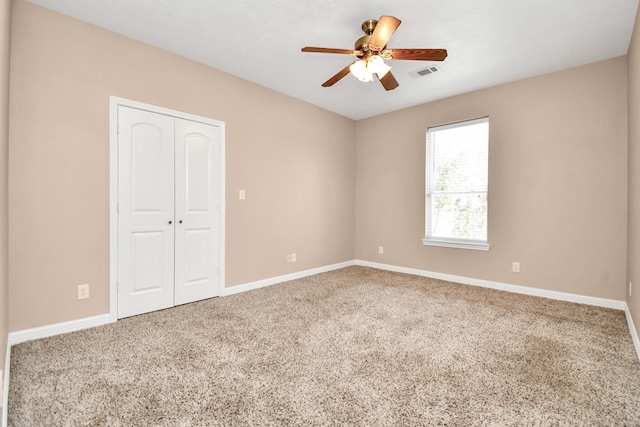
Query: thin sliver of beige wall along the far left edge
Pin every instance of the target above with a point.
(5, 41)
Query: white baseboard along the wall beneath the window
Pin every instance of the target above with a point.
(561, 296)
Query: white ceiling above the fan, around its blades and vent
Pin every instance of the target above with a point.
(489, 41)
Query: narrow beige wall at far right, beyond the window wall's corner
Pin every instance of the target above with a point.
(633, 254)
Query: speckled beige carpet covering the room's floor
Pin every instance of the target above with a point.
(356, 346)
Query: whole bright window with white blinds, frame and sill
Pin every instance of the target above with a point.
(457, 167)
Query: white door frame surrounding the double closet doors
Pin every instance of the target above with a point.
(114, 103)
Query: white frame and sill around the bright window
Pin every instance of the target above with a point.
(429, 240)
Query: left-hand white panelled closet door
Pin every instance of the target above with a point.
(146, 212)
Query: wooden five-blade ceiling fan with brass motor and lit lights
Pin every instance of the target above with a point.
(371, 51)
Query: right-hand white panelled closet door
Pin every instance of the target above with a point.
(197, 211)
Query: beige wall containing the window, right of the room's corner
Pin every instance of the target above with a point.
(557, 183)
